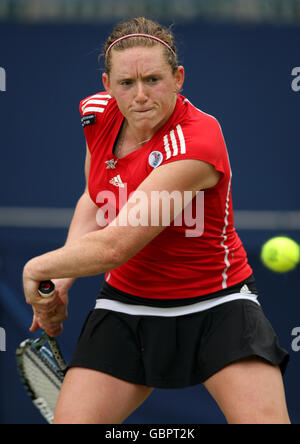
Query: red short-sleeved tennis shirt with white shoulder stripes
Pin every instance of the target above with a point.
(183, 261)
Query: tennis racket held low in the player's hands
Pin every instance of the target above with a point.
(42, 367)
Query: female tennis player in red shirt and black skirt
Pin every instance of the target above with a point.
(178, 305)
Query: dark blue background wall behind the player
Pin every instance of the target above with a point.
(241, 75)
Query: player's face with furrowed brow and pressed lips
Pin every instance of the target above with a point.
(144, 86)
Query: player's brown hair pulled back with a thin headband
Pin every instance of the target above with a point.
(141, 25)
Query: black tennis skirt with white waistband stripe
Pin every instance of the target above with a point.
(176, 351)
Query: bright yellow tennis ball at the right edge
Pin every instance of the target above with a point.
(280, 254)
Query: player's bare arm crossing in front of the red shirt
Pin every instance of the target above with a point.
(100, 251)
